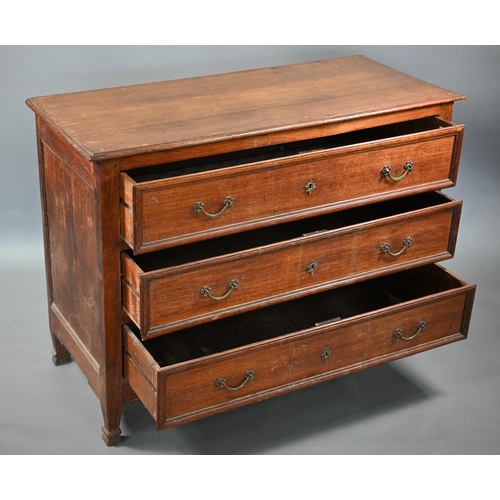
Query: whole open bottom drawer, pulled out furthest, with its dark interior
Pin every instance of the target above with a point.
(249, 357)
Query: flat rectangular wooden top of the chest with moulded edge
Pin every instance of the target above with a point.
(136, 119)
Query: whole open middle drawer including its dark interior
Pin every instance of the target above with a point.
(183, 286)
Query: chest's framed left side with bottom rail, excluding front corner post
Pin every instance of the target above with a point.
(70, 236)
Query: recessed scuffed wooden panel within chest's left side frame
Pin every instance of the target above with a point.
(73, 241)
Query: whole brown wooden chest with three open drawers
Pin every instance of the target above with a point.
(215, 241)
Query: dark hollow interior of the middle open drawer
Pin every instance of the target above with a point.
(269, 235)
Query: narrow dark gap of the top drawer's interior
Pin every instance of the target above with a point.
(216, 162)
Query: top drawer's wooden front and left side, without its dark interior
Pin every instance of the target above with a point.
(169, 212)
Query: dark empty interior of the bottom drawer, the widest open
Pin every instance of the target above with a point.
(300, 314)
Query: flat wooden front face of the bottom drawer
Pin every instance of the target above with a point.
(322, 353)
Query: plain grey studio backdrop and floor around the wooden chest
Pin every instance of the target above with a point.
(445, 401)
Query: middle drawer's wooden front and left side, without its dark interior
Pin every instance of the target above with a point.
(172, 299)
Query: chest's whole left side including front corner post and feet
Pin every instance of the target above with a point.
(83, 274)
